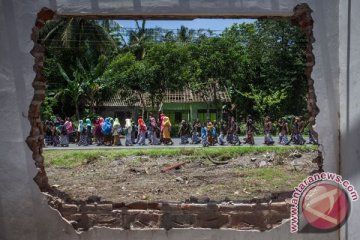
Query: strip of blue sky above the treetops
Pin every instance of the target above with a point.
(212, 24)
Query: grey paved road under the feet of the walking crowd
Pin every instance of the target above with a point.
(259, 141)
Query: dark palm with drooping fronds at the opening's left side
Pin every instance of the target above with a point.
(82, 47)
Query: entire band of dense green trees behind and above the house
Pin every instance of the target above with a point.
(260, 64)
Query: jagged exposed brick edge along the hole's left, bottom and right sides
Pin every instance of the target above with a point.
(148, 214)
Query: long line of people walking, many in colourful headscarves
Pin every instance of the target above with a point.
(108, 132)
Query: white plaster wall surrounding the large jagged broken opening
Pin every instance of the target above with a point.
(23, 212)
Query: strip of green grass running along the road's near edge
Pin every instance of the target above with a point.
(74, 158)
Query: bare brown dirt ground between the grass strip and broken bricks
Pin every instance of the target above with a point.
(200, 179)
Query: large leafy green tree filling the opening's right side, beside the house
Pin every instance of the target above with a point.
(271, 61)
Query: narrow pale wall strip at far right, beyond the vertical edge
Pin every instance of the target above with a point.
(349, 87)
